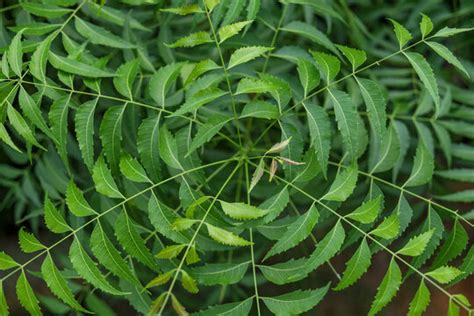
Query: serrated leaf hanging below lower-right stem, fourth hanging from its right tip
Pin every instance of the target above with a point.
(356, 266)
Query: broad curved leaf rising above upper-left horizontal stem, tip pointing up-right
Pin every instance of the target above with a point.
(162, 81)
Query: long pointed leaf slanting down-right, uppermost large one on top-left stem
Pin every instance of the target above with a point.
(100, 36)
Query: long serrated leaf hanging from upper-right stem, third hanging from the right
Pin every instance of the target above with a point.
(347, 121)
